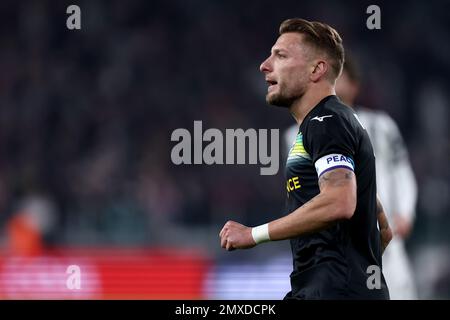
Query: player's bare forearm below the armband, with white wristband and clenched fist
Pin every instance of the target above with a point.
(336, 201)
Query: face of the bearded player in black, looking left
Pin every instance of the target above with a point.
(286, 70)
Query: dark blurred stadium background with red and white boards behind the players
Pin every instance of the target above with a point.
(86, 118)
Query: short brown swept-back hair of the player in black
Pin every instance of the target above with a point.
(320, 36)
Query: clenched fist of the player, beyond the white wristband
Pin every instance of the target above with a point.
(236, 236)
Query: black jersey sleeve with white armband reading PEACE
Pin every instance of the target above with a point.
(331, 143)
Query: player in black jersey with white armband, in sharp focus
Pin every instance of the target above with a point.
(332, 206)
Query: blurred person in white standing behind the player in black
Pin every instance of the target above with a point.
(396, 184)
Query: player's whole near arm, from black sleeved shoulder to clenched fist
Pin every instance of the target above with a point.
(331, 152)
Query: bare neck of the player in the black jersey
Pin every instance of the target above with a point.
(303, 105)
